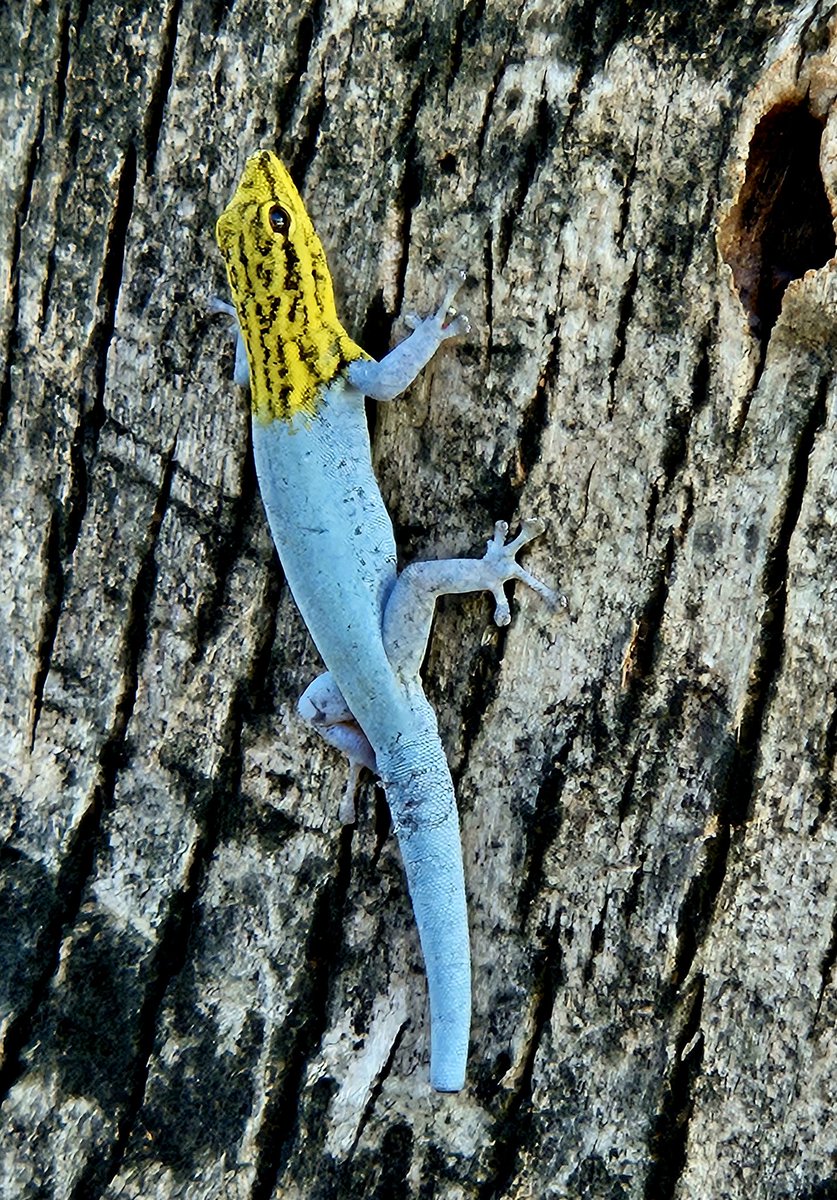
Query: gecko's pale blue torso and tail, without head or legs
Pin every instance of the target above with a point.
(338, 549)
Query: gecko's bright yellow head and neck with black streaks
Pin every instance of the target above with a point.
(282, 293)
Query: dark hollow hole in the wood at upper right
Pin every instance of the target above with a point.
(781, 225)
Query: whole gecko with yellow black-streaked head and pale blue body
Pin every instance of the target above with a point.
(334, 536)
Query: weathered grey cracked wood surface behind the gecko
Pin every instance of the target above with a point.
(209, 989)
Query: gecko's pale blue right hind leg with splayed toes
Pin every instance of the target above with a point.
(410, 610)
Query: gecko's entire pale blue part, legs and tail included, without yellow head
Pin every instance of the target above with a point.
(371, 626)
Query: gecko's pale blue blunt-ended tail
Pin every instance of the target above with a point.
(420, 794)
